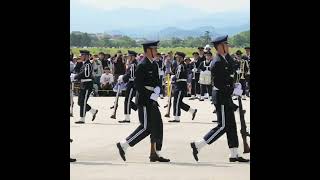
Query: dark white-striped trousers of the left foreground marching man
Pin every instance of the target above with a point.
(150, 124)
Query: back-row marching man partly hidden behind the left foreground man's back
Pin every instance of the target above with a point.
(130, 91)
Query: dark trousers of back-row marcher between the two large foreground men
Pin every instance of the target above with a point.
(178, 104)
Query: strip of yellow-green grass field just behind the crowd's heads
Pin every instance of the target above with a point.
(113, 51)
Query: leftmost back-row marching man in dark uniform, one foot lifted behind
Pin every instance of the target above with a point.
(86, 78)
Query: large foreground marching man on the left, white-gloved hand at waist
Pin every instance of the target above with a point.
(148, 89)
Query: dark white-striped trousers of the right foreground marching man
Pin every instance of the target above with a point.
(226, 122)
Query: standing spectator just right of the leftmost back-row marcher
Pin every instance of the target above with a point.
(97, 72)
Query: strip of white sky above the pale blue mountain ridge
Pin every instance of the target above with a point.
(208, 6)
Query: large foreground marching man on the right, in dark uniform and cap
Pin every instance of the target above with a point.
(223, 82)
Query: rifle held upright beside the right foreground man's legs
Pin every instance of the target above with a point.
(243, 130)
